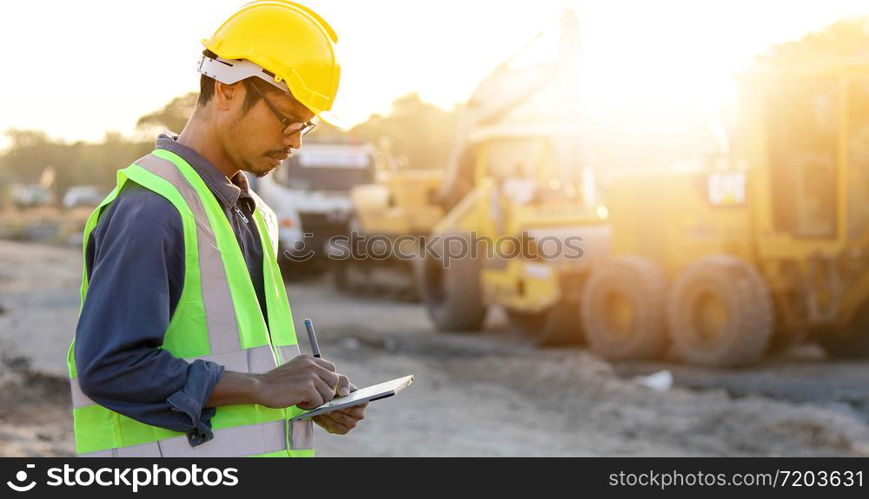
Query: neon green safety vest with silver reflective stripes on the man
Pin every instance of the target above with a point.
(218, 318)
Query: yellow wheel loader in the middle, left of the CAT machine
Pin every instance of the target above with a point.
(522, 238)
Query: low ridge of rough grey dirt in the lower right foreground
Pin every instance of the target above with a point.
(709, 422)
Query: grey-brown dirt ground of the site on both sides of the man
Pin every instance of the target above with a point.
(487, 394)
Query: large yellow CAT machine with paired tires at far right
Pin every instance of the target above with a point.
(768, 245)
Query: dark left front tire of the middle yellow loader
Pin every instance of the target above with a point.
(453, 295)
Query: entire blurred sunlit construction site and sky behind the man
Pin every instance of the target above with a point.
(710, 161)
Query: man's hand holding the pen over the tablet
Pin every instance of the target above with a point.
(305, 381)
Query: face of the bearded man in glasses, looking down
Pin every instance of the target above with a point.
(254, 140)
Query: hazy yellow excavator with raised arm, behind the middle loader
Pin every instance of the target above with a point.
(395, 214)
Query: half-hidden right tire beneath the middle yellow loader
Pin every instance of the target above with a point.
(556, 326)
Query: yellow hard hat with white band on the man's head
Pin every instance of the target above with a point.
(292, 44)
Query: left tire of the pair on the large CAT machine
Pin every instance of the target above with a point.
(623, 309)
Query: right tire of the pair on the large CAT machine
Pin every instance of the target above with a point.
(720, 313)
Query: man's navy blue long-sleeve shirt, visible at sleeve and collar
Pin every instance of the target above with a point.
(135, 264)
